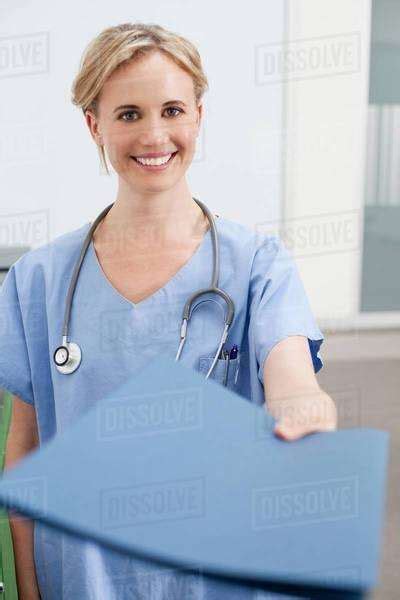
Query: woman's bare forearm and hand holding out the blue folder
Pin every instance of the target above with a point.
(292, 392)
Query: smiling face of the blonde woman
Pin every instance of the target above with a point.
(148, 106)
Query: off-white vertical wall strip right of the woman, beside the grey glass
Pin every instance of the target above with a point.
(326, 116)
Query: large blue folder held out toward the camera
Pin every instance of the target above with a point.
(183, 472)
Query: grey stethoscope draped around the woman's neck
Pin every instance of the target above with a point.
(68, 356)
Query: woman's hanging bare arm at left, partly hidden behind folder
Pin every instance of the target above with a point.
(22, 438)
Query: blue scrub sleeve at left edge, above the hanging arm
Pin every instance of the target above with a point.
(15, 371)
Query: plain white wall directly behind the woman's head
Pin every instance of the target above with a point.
(50, 180)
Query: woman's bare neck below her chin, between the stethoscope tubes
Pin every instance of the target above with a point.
(154, 219)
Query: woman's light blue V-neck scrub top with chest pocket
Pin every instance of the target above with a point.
(118, 338)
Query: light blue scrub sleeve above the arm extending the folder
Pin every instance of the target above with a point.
(279, 304)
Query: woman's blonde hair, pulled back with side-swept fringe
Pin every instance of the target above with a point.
(119, 44)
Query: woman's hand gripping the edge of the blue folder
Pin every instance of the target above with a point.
(302, 414)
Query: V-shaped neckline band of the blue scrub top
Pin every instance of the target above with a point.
(178, 275)
